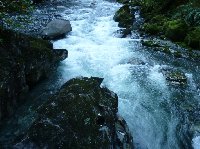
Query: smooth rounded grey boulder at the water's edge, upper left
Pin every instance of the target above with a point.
(56, 28)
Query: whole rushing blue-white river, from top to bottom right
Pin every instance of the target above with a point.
(159, 116)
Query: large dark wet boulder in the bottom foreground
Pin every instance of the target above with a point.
(81, 115)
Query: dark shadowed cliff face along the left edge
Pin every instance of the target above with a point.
(24, 61)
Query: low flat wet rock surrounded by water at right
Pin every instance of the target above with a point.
(174, 76)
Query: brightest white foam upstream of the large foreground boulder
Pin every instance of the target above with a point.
(93, 50)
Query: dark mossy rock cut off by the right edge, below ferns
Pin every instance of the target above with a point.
(193, 38)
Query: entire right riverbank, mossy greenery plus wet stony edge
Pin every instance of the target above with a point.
(167, 20)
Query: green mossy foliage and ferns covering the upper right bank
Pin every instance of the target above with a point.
(178, 20)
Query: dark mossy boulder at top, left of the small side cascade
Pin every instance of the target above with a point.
(124, 16)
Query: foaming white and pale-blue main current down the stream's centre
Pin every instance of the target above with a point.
(94, 50)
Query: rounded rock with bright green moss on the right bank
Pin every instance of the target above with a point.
(176, 30)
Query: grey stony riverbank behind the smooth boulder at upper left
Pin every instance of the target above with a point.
(34, 22)
